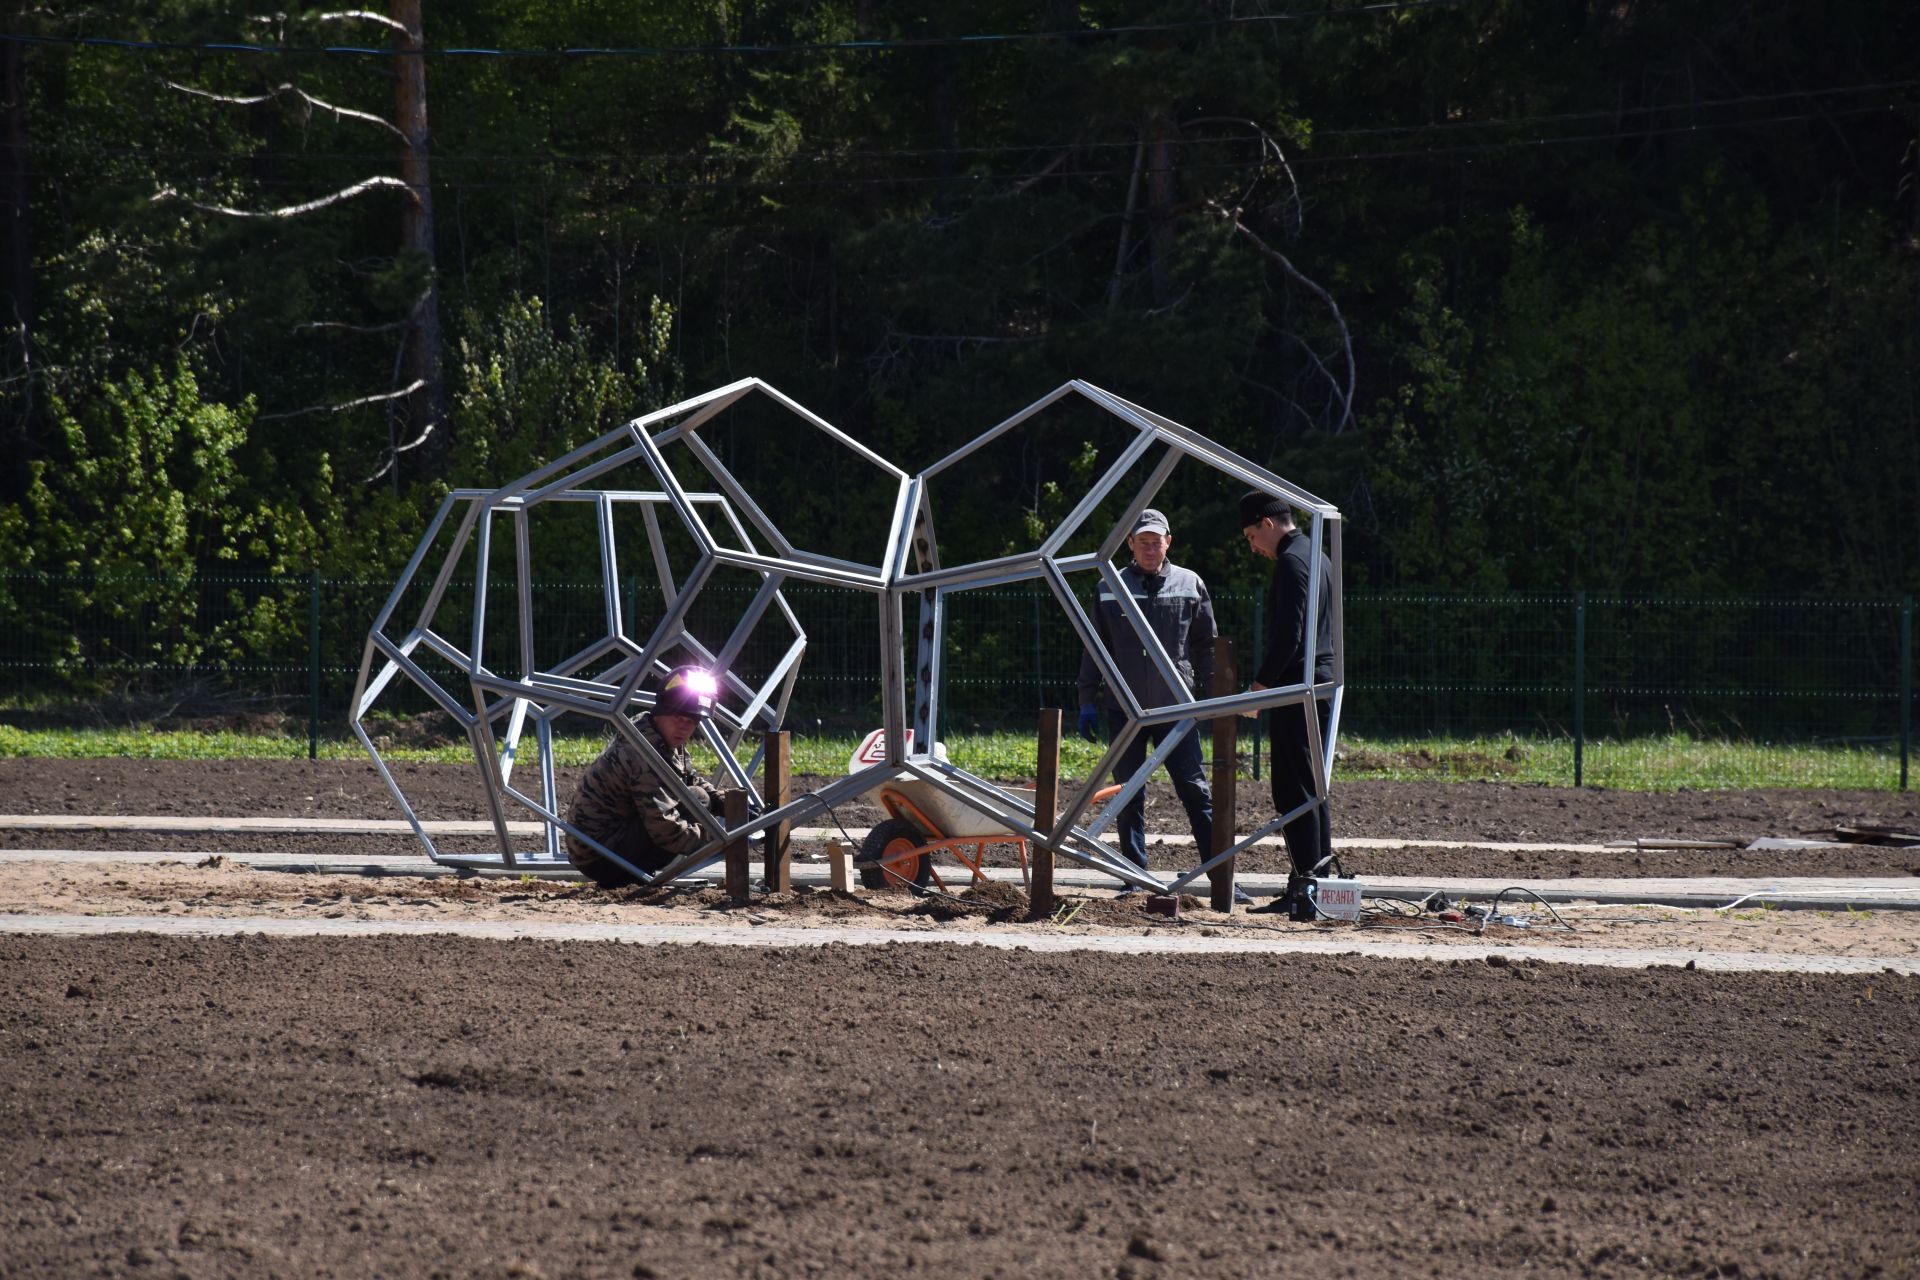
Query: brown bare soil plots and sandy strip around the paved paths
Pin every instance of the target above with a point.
(444, 1106)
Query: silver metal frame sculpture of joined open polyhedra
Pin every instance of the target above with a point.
(608, 678)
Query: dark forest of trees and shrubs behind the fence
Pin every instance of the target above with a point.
(1547, 296)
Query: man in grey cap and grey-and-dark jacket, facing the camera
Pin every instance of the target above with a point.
(1182, 615)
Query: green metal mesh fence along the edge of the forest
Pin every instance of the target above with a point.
(1602, 676)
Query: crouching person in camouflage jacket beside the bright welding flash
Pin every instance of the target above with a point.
(625, 805)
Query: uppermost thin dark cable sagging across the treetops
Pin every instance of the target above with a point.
(798, 47)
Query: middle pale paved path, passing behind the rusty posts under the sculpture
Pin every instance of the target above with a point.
(1716, 891)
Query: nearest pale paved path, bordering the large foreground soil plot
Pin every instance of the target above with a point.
(779, 937)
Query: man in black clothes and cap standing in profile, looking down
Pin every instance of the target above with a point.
(1268, 525)
